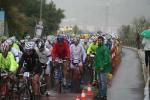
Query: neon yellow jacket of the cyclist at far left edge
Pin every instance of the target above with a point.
(8, 63)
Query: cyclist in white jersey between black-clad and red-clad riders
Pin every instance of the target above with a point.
(44, 58)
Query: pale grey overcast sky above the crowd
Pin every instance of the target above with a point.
(102, 13)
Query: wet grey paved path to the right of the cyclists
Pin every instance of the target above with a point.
(128, 83)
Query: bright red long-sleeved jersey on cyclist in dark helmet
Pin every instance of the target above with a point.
(61, 51)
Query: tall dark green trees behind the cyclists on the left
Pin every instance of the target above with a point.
(21, 16)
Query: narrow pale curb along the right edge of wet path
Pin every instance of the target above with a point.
(141, 60)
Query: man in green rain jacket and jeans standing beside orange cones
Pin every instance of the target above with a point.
(102, 65)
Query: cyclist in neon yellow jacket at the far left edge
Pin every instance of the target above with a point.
(8, 63)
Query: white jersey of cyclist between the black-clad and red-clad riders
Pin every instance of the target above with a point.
(44, 55)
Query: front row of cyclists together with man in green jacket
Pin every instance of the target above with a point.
(34, 55)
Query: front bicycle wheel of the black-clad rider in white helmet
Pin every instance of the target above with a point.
(25, 93)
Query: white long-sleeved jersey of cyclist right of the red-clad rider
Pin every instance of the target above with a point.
(78, 53)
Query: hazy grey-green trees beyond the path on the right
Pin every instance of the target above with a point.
(131, 32)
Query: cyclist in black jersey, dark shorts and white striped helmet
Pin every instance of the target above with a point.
(32, 65)
